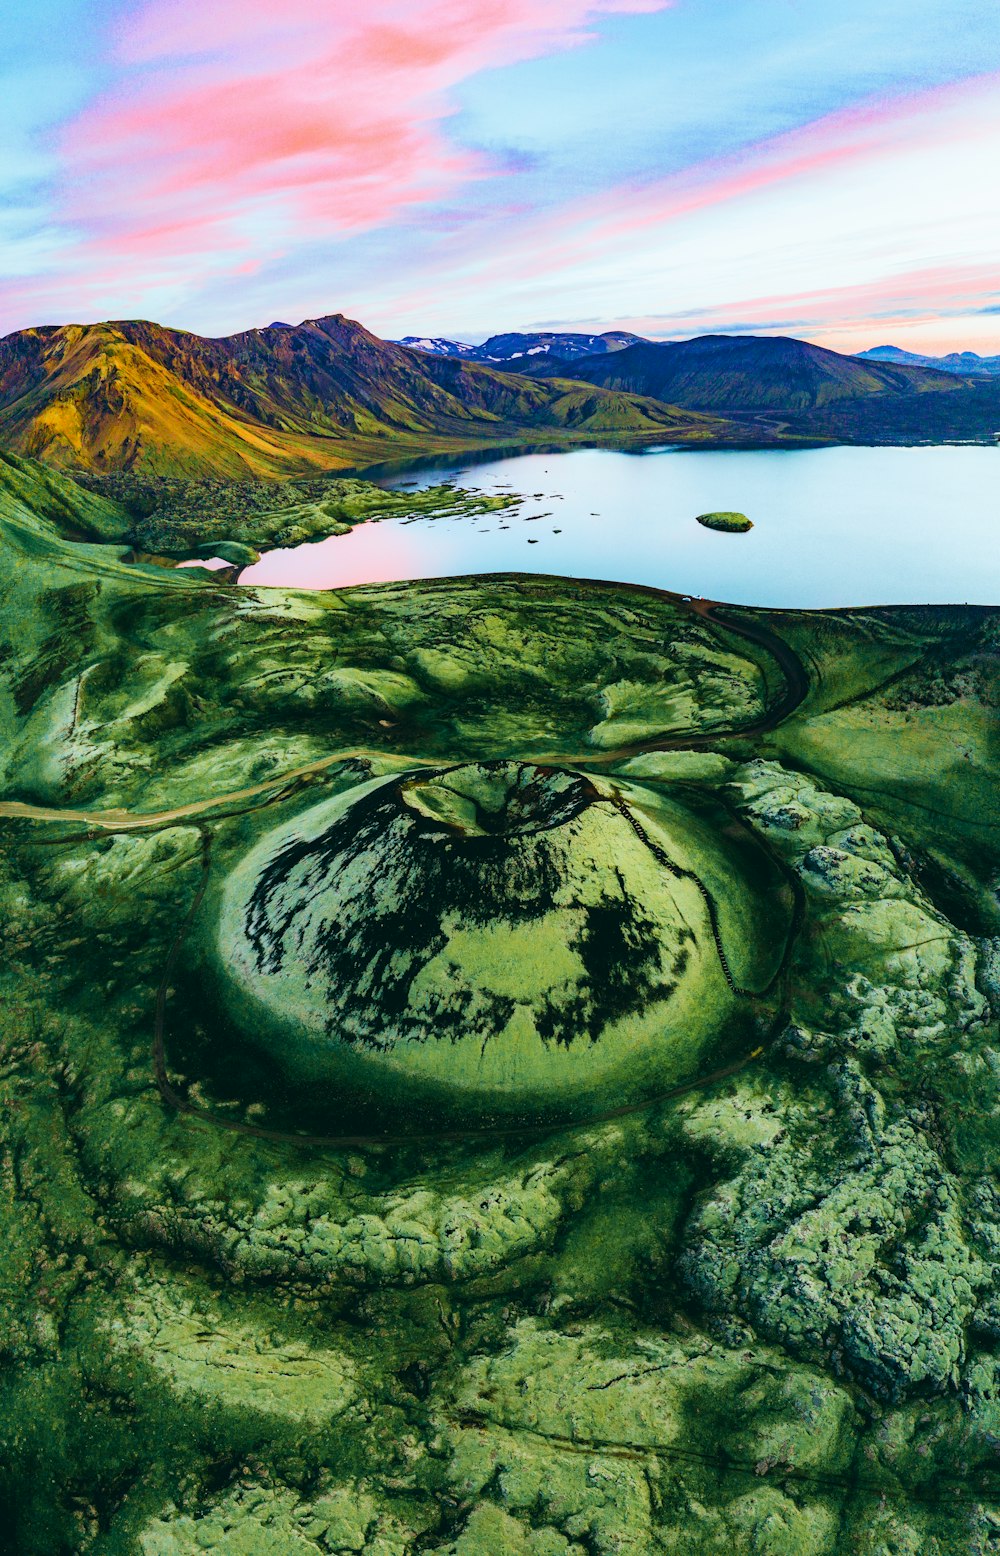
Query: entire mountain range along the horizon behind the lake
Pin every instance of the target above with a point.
(329, 394)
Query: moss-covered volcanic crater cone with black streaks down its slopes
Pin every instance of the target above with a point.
(488, 939)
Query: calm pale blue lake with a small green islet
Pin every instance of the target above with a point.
(833, 527)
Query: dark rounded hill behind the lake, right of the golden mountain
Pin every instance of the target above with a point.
(740, 374)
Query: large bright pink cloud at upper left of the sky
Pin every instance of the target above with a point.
(243, 128)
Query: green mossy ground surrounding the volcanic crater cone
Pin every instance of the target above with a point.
(760, 1317)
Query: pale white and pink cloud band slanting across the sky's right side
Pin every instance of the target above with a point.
(869, 212)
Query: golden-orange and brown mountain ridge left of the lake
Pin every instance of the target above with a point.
(282, 401)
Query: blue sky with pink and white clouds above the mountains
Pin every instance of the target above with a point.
(467, 167)
